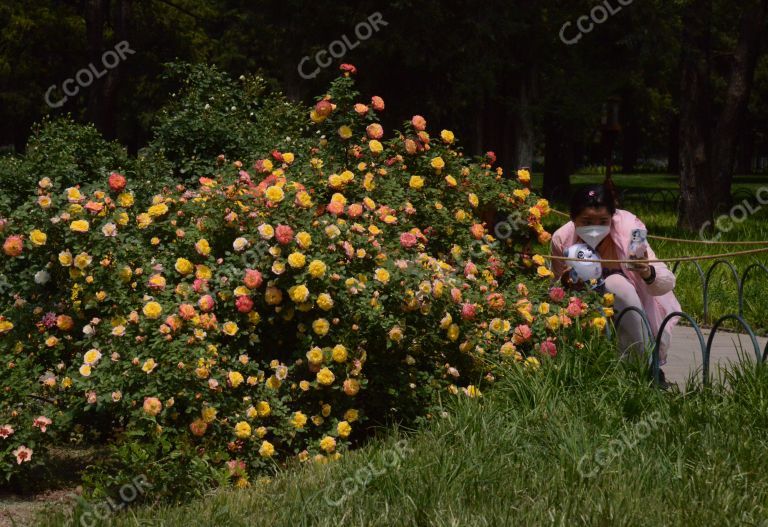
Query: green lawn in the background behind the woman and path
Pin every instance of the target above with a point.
(661, 219)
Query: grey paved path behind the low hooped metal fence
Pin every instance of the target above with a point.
(684, 356)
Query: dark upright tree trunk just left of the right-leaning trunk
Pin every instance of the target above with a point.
(696, 203)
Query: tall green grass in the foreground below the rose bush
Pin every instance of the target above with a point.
(527, 453)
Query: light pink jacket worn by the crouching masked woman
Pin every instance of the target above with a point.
(658, 299)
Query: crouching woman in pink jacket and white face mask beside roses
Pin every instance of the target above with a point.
(596, 221)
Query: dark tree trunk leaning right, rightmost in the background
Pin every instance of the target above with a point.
(731, 119)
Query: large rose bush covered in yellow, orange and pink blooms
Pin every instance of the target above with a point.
(266, 313)
